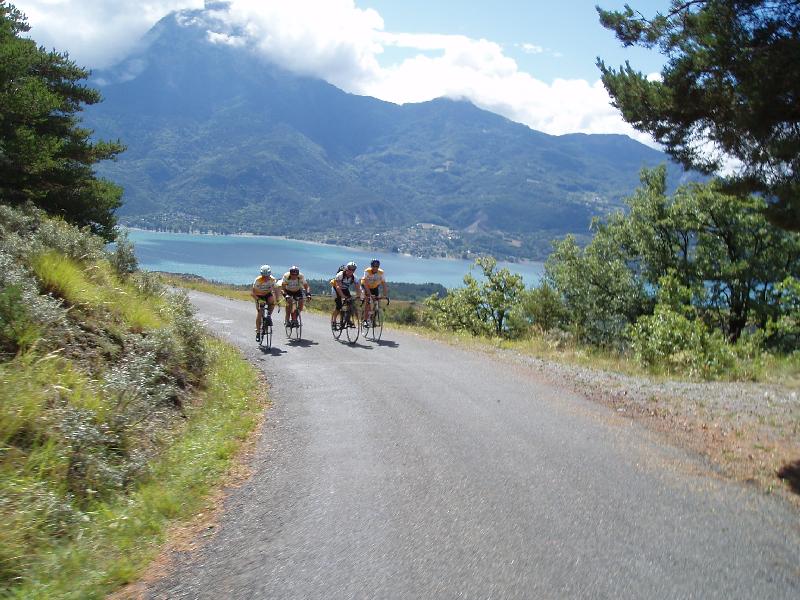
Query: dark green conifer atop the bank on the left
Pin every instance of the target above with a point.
(45, 156)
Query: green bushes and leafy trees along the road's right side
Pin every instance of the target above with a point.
(697, 284)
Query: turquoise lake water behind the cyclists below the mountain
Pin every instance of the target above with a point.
(236, 259)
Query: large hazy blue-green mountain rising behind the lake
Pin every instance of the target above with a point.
(219, 139)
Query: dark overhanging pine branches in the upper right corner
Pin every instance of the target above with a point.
(730, 89)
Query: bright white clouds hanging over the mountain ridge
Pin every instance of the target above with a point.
(341, 43)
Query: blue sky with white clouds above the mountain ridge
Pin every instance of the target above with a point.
(528, 60)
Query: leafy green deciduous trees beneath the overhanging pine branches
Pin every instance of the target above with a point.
(718, 249)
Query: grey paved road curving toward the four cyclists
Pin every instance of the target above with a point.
(411, 469)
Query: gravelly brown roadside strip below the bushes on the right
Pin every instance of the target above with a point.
(747, 431)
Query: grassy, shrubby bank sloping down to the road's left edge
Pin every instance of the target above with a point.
(116, 412)
